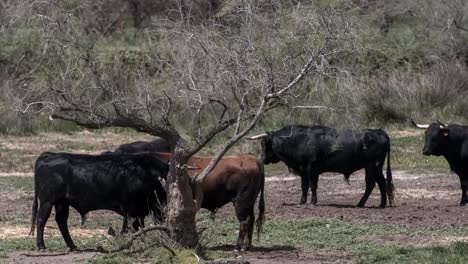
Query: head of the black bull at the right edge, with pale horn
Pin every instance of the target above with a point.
(436, 138)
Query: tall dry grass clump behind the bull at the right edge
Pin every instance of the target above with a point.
(434, 92)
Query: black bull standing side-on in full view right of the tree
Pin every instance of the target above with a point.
(310, 151)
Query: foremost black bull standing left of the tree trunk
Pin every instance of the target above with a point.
(125, 184)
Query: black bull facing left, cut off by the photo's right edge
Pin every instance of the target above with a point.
(450, 141)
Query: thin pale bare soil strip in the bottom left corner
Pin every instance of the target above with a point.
(47, 258)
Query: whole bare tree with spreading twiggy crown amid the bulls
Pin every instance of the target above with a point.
(187, 84)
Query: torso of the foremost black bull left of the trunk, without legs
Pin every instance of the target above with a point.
(91, 182)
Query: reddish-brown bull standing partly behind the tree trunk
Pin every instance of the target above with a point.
(237, 179)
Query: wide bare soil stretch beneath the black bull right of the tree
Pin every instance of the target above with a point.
(420, 201)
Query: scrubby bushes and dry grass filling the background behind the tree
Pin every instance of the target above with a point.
(411, 59)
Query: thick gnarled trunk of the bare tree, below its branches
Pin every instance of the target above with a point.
(182, 206)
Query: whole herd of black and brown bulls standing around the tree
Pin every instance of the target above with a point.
(128, 180)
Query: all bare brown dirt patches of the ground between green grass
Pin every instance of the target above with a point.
(422, 201)
